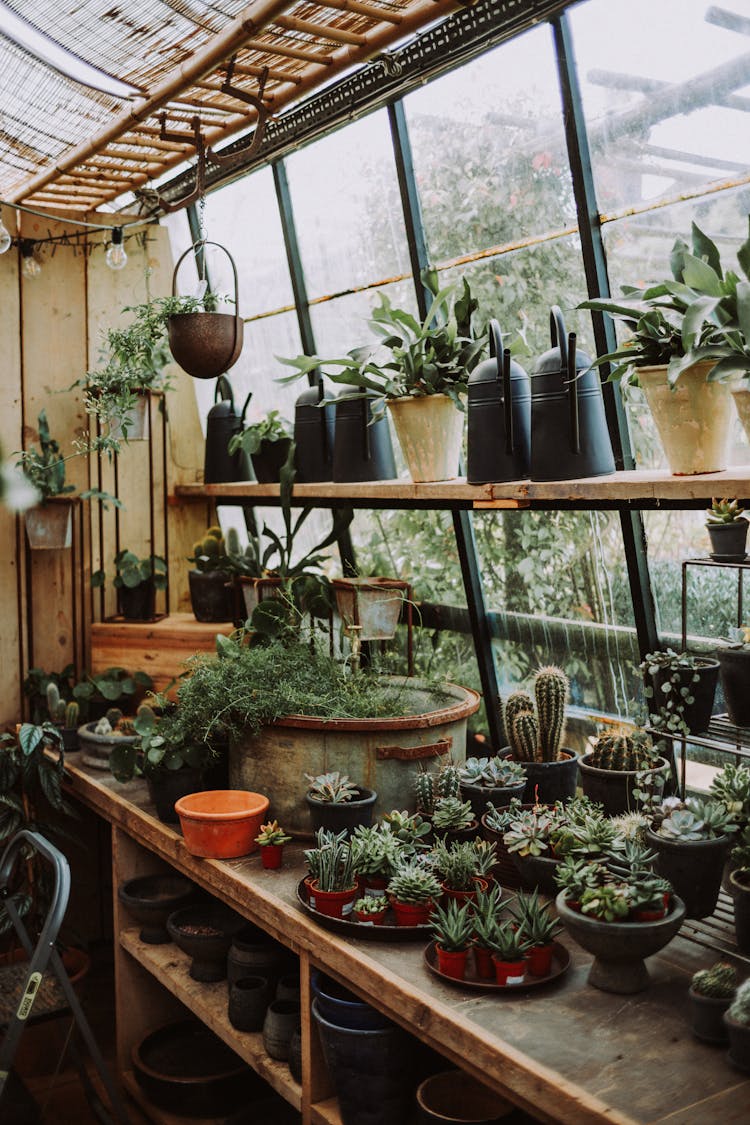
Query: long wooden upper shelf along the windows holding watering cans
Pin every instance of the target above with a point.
(639, 489)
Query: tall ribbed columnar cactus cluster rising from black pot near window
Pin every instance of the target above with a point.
(537, 735)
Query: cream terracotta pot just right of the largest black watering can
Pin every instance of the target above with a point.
(693, 418)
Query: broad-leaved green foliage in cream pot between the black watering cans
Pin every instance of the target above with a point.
(432, 357)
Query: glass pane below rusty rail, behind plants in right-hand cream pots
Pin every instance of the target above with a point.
(638, 253)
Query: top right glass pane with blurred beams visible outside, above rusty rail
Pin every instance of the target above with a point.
(662, 119)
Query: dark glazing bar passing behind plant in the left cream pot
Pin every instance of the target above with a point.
(463, 523)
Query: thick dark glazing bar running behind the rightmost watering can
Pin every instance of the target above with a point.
(598, 282)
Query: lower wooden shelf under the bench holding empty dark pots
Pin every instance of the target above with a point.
(210, 1003)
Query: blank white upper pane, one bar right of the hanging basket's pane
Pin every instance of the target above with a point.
(348, 210)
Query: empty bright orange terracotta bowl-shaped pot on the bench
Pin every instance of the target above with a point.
(222, 824)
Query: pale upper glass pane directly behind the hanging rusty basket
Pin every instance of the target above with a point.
(245, 218)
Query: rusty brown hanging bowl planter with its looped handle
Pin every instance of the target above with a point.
(206, 345)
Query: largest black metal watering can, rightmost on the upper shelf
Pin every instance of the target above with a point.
(570, 436)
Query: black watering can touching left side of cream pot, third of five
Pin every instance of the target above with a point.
(363, 449)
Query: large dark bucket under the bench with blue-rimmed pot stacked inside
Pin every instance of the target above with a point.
(372, 1072)
